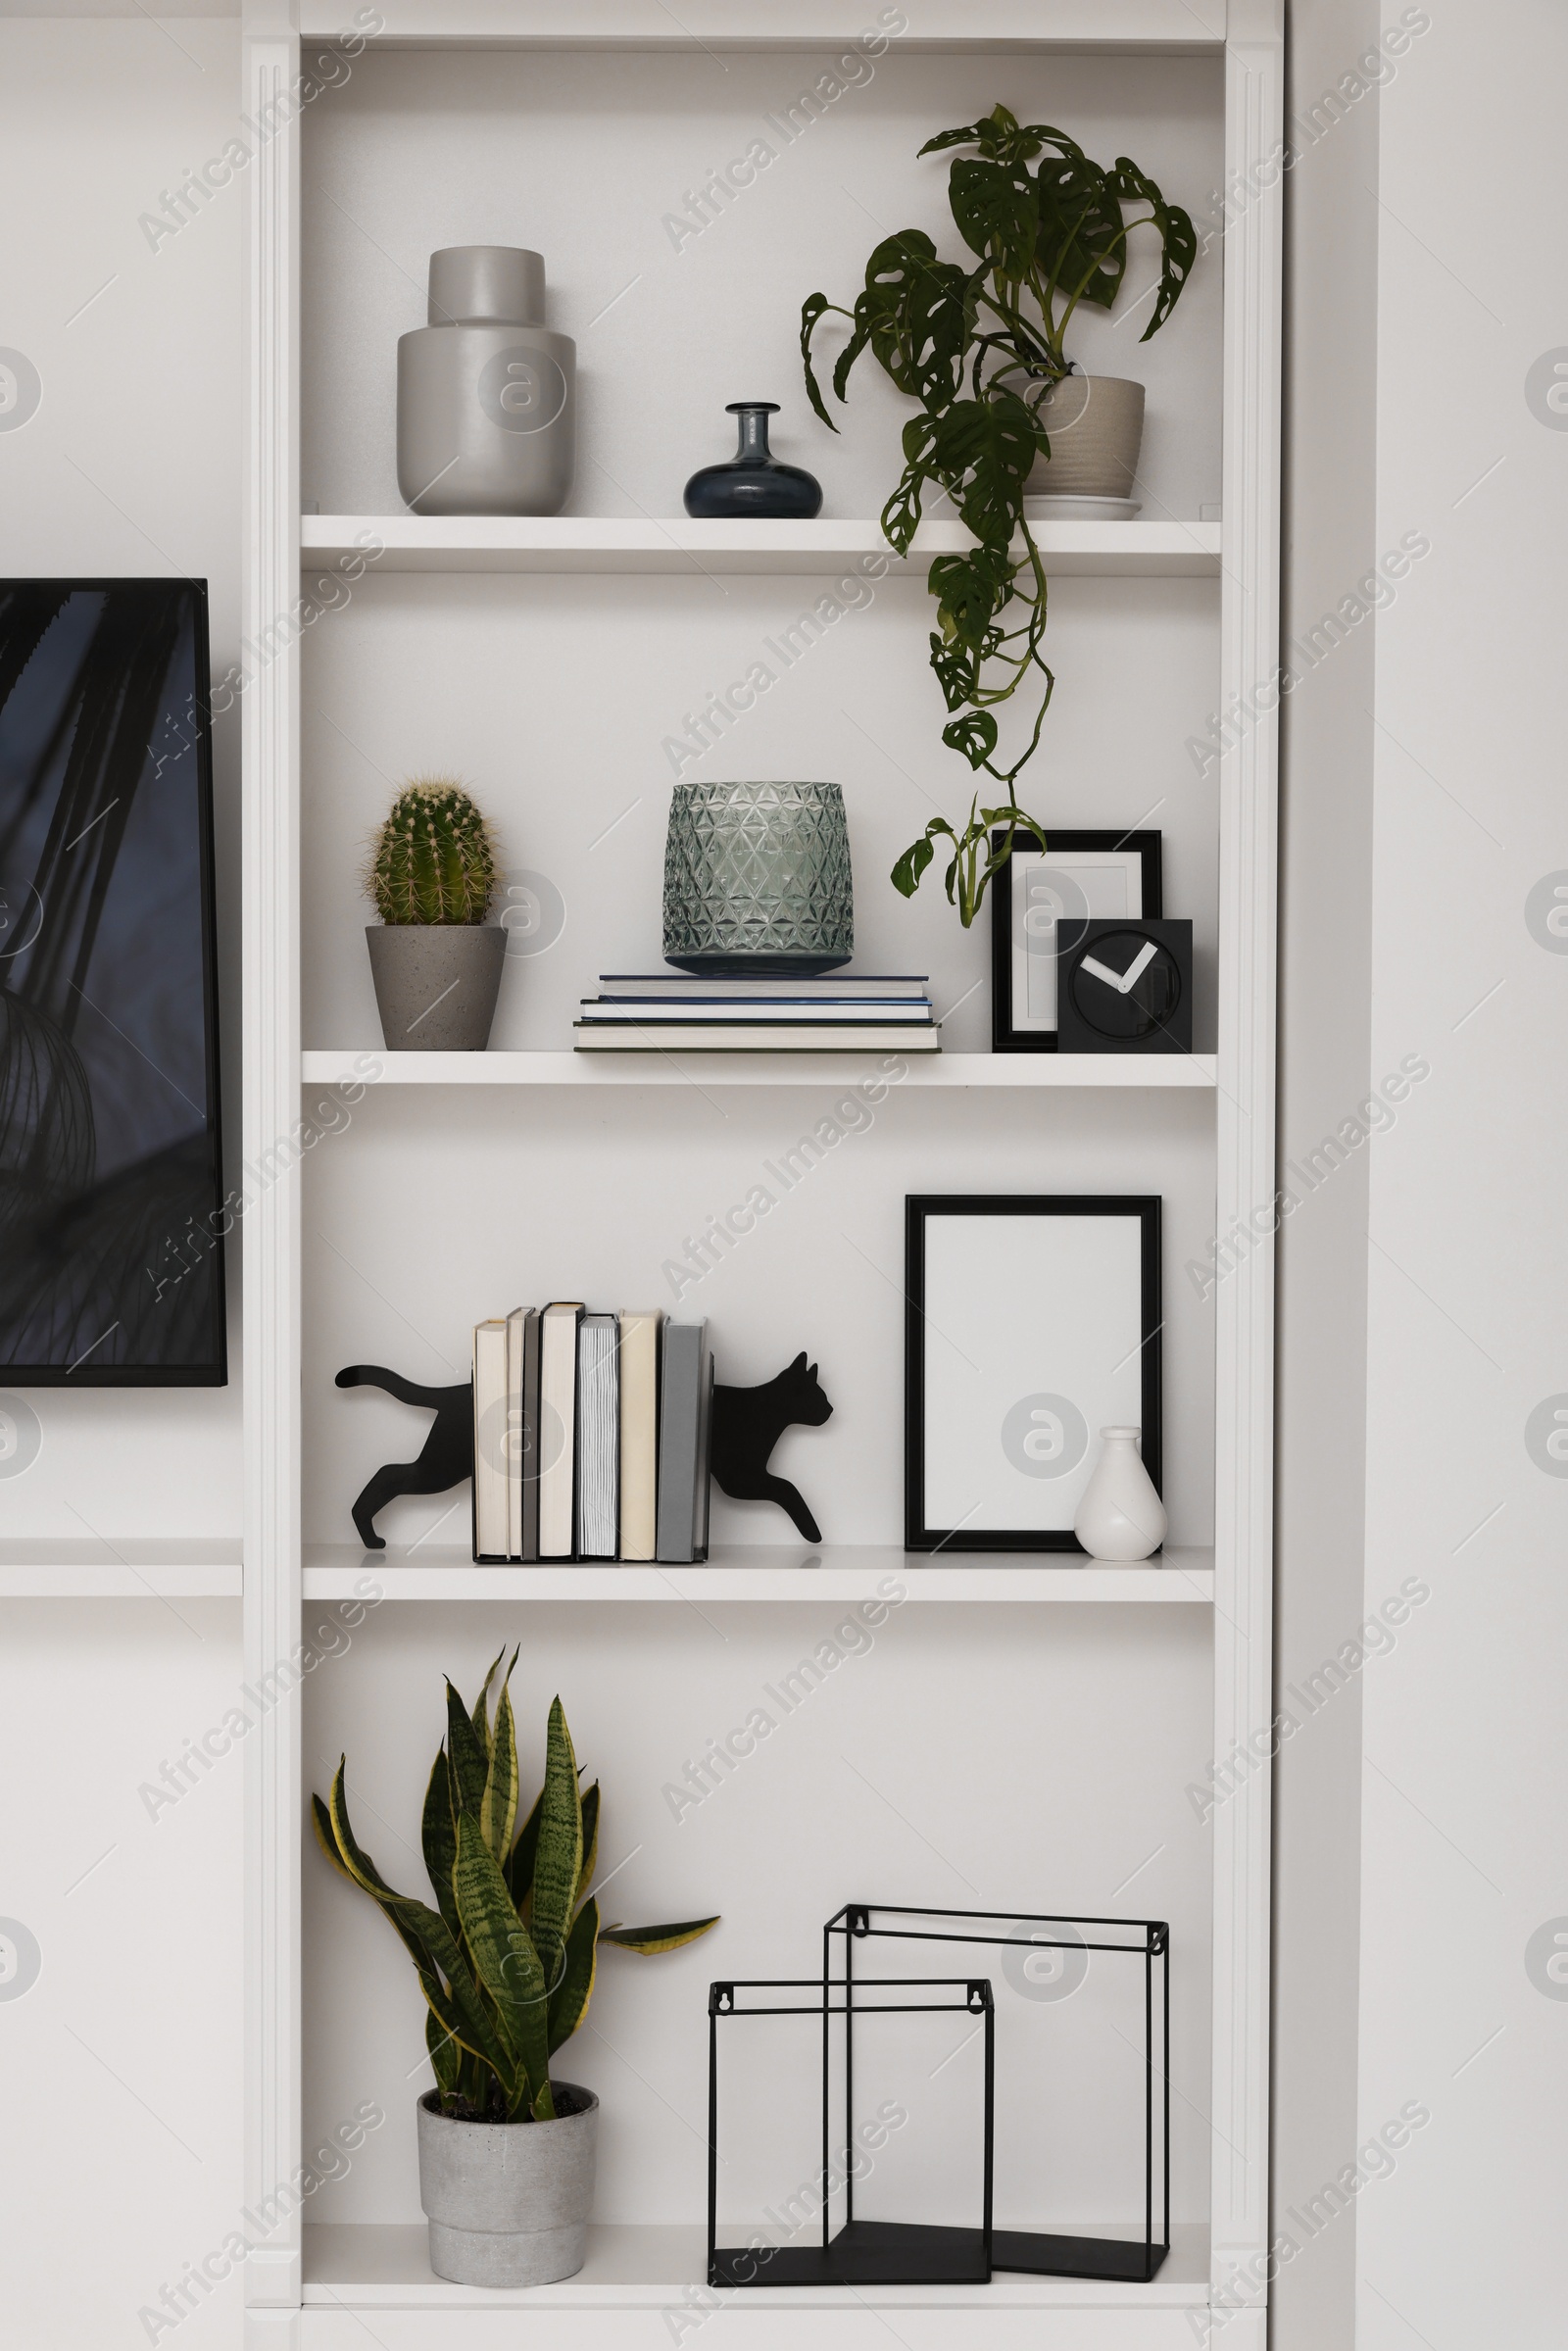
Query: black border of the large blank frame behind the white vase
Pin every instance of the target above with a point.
(920, 1210)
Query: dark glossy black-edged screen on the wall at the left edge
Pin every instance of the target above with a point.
(112, 1214)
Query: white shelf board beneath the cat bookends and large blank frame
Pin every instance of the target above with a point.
(833, 1572)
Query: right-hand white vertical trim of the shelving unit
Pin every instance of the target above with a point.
(1245, 1301)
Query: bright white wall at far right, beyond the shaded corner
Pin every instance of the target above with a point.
(1466, 1724)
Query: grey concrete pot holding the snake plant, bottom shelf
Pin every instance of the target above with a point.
(509, 2202)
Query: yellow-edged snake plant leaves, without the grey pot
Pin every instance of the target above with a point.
(509, 1955)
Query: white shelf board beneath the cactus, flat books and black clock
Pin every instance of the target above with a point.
(1057, 1071)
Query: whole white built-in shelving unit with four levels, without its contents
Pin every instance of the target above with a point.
(1092, 1692)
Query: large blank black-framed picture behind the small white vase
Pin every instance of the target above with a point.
(1031, 1325)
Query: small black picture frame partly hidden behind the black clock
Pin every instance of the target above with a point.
(1078, 876)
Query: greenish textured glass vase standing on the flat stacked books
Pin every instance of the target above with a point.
(758, 880)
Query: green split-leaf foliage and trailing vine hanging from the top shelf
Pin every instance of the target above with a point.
(979, 347)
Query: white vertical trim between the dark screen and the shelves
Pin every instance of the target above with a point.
(269, 749)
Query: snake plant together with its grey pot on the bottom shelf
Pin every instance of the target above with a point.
(507, 1964)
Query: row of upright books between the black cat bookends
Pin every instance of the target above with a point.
(591, 1435)
